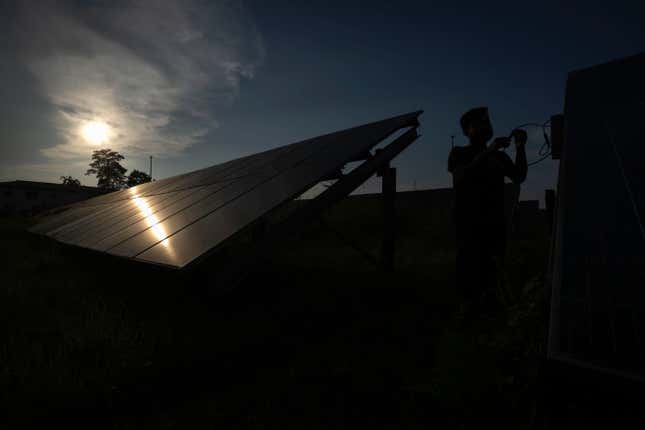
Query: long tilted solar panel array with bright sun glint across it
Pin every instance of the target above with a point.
(174, 221)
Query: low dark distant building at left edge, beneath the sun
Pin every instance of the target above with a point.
(27, 197)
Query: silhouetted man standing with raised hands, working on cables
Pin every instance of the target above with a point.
(478, 173)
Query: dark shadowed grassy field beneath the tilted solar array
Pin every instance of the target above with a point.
(315, 337)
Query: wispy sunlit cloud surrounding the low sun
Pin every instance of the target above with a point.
(155, 71)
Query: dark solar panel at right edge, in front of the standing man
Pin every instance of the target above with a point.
(598, 300)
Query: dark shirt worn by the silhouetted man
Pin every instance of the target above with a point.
(479, 198)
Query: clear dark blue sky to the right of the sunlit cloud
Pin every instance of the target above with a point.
(332, 66)
